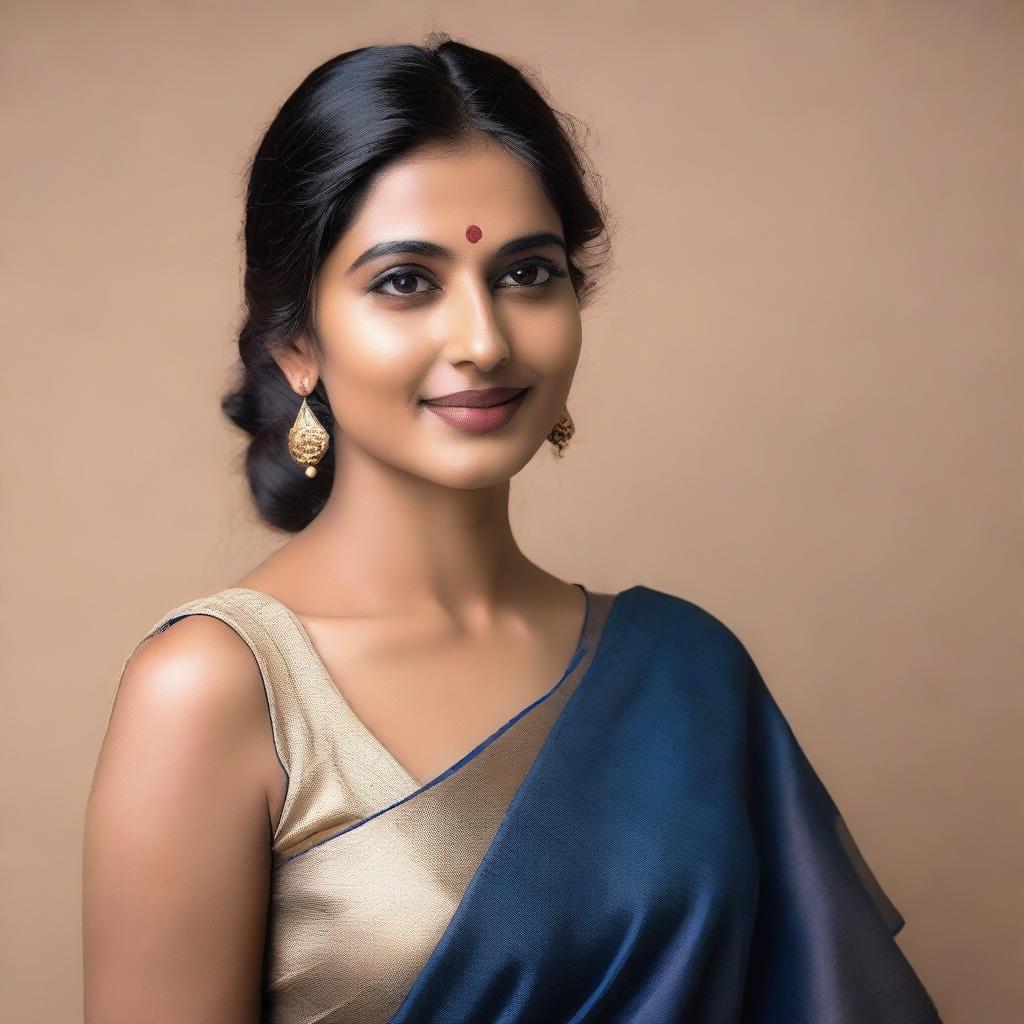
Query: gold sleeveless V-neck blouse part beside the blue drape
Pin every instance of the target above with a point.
(369, 866)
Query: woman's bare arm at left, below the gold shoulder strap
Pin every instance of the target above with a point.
(177, 866)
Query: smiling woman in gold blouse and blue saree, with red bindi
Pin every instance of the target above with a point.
(399, 773)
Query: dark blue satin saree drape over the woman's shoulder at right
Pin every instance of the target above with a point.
(672, 857)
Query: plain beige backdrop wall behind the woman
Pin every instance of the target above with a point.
(798, 405)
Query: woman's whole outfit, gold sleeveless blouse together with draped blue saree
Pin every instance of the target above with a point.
(647, 843)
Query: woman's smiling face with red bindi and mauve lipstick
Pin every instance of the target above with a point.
(473, 293)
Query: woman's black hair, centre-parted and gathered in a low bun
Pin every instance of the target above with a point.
(349, 119)
